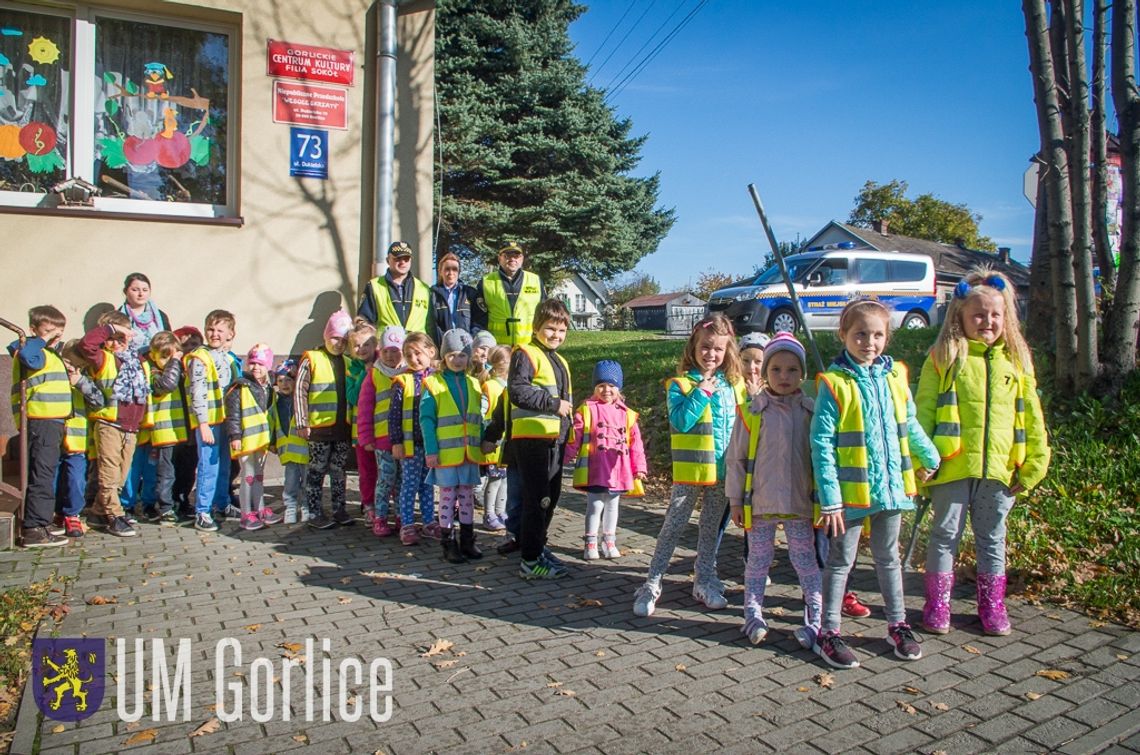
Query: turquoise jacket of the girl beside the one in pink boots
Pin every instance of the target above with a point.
(885, 470)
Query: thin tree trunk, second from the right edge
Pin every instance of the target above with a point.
(1101, 209)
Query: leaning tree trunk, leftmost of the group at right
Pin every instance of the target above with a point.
(1061, 213)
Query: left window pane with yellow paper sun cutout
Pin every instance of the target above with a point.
(35, 100)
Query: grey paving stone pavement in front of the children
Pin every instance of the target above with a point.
(558, 667)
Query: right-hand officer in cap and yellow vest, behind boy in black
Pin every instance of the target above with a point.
(508, 299)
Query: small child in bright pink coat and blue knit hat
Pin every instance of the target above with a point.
(607, 443)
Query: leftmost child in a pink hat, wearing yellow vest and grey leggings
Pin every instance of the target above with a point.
(249, 402)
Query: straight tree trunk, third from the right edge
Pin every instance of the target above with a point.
(1088, 364)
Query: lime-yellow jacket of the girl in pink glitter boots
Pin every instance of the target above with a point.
(987, 388)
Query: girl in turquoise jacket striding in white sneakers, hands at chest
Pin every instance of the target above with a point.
(703, 402)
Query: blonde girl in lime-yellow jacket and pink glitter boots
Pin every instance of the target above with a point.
(979, 399)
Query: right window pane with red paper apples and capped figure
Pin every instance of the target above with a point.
(161, 117)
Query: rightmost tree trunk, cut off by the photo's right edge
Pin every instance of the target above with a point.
(1120, 354)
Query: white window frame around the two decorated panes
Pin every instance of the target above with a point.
(82, 148)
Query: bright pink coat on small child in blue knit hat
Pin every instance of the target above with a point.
(614, 462)
